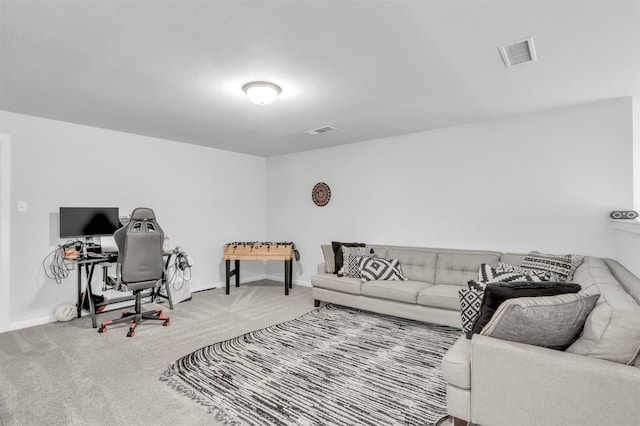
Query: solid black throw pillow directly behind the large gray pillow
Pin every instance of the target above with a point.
(495, 294)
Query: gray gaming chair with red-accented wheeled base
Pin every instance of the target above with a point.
(140, 265)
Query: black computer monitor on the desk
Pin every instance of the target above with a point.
(76, 222)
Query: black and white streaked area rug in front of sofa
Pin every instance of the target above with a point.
(332, 366)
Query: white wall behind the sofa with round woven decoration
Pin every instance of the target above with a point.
(543, 181)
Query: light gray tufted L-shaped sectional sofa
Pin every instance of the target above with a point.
(494, 382)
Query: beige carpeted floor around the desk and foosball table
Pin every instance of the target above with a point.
(68, 374)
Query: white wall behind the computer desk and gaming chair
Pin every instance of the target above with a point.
(202, 198)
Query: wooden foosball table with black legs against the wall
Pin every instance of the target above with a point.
(238, 251)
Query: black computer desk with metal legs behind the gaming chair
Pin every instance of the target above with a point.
(89, 263)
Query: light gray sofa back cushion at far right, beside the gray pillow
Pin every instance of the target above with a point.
(612, 329)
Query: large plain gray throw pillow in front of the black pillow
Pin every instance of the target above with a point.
(552, 322)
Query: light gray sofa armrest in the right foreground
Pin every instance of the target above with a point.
(518, 384)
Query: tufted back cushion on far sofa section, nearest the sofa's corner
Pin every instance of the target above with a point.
(457, 268)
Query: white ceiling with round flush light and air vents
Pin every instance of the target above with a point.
(372, 69)
